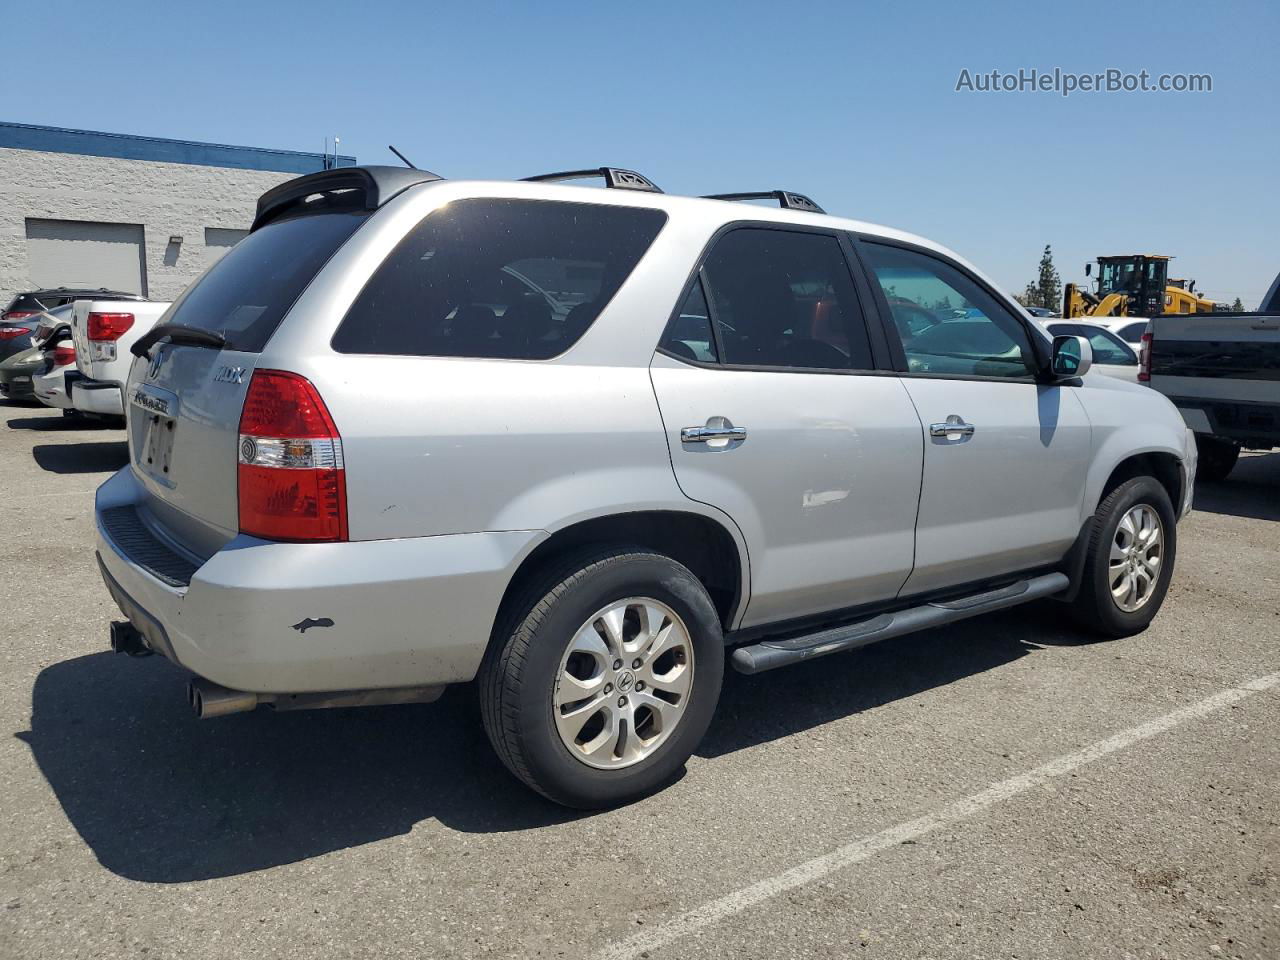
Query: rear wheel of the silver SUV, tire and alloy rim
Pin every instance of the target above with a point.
(527, 693)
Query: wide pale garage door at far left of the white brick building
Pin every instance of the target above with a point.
(86, 254)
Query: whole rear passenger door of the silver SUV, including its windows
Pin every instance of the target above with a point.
(776, 414)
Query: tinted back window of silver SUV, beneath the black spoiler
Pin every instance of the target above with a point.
(248, 294)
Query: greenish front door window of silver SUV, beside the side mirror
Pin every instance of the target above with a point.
(948, 323)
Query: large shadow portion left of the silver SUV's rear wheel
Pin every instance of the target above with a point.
(164, 798)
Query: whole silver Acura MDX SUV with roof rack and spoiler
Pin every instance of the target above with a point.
(584, 446)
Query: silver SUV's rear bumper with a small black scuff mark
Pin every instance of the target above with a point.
(277, 618)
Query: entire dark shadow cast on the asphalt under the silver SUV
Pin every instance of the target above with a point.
(163, 798)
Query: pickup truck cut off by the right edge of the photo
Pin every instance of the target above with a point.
(1223, 373)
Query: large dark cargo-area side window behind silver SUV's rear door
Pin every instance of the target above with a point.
(518, 280)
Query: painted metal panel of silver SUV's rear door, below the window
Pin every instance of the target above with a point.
(824, 483)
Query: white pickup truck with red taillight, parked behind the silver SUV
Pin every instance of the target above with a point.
(103, 333)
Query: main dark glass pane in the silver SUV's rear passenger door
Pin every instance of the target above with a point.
(788, 300)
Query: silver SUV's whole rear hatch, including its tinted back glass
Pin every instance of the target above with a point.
(184, 403)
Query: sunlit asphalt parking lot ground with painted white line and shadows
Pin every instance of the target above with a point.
(1003, 789)
